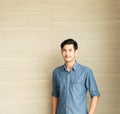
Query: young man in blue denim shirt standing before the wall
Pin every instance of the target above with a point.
(71, 82)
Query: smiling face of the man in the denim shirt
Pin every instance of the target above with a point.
(68, 52)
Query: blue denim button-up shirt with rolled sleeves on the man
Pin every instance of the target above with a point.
(71, 88)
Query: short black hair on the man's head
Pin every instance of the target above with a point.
(69, 41)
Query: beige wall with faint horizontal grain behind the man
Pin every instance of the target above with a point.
(30, 34)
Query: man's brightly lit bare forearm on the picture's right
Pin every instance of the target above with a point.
(93, 104)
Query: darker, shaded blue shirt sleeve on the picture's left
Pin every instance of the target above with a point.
(54, 85)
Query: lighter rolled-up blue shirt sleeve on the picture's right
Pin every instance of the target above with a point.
(91, 84)
